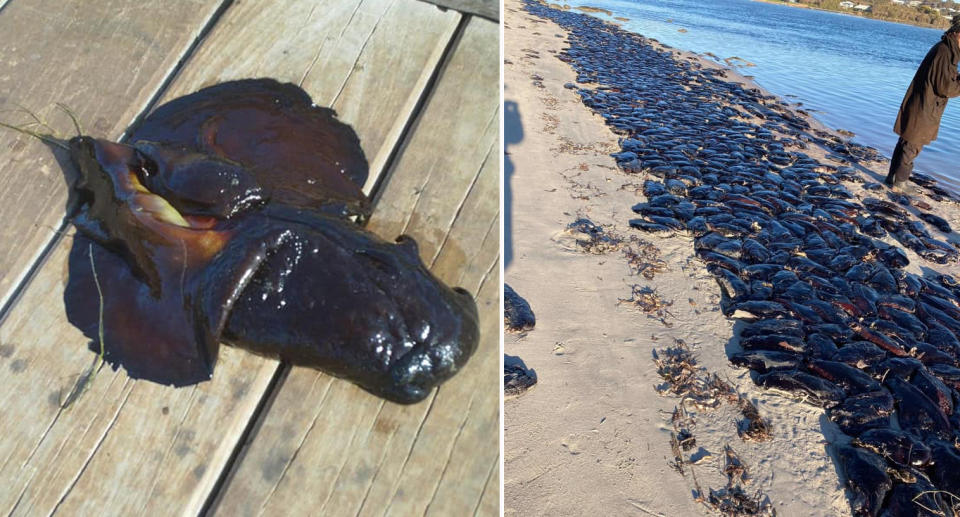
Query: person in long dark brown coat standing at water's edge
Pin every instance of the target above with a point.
(917, 122)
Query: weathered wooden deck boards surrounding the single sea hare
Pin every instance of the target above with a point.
(420, 85)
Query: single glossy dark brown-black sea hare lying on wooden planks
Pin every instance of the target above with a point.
(227, 217)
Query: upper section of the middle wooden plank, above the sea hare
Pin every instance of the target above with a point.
(354, 65)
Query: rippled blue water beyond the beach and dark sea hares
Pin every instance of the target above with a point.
(849, 72)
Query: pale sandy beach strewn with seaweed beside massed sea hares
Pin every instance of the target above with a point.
(595, 432)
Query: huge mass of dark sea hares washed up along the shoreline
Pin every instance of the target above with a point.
(830, 313)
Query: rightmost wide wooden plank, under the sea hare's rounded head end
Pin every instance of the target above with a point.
(444, 191)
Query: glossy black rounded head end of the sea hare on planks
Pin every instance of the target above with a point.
(334, 297)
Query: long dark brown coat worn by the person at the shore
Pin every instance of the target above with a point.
(936, 80)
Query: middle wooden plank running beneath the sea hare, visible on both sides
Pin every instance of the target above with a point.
(135, 446)
